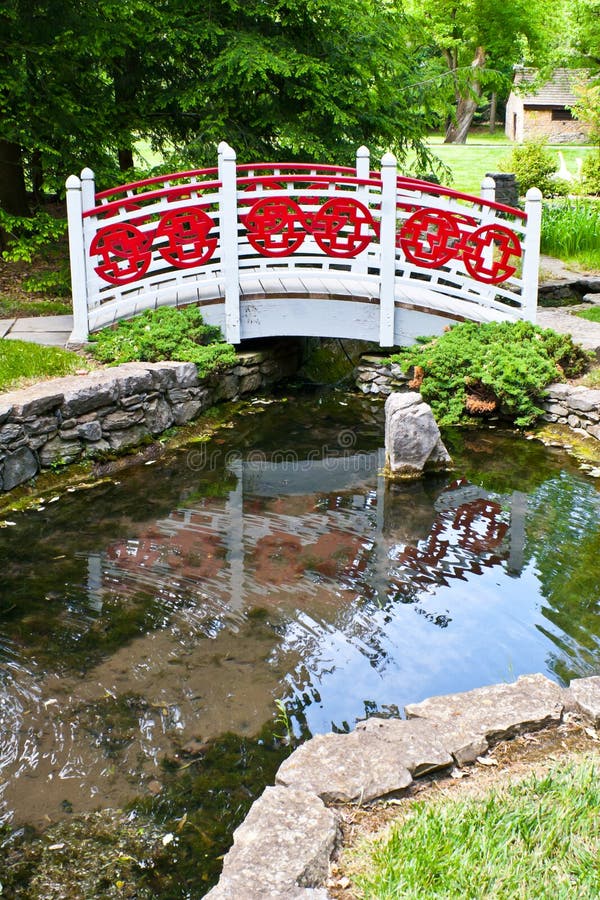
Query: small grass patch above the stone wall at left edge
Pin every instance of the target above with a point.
(20, 360)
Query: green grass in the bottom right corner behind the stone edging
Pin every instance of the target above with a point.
(539, 838)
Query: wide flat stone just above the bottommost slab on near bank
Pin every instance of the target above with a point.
(346, 767)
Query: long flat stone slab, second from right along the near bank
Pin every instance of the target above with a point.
(494, 713)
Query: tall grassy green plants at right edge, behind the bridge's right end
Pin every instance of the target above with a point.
(571, 231)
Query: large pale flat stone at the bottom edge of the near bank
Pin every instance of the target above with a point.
(281, 850)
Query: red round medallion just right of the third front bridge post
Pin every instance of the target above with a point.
(429, 238)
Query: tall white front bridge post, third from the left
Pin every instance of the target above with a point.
(387, 243)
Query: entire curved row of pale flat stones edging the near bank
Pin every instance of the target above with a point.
(283, 848)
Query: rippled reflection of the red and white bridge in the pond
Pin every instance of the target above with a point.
(284, 519)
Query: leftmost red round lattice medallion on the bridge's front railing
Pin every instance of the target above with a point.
(124, 252)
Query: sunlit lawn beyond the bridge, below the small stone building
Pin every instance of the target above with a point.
(468, 163)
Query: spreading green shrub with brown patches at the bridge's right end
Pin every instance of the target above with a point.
(499, 367)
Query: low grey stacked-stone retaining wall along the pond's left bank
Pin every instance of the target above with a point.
(64, 420)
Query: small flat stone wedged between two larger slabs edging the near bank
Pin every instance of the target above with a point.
(418, 742)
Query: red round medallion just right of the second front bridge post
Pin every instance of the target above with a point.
(275, 227)
